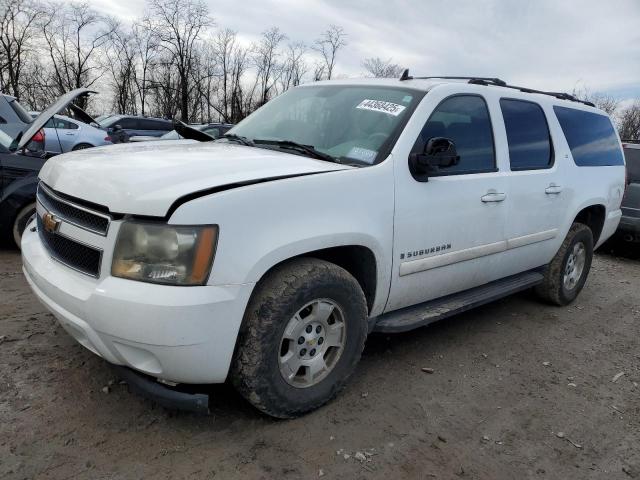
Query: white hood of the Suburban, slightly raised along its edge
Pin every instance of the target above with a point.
(147, 178)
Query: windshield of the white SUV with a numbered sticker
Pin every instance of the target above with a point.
(350, 123)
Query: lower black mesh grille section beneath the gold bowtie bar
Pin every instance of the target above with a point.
(75, 255)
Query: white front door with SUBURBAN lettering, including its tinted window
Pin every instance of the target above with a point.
(449, 230)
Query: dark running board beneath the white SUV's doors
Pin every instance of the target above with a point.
(425, 313)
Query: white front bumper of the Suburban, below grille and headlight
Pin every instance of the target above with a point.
(179, 334)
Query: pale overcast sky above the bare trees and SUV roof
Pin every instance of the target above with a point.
(545, 44)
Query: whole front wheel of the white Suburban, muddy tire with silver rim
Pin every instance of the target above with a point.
(293, 296)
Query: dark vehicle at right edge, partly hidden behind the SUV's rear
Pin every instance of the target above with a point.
(629, 228)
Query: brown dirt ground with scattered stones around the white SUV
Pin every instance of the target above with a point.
(507, 379)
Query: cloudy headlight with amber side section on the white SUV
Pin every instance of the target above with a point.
(161, 253)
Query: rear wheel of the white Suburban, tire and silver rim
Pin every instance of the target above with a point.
(562, 283)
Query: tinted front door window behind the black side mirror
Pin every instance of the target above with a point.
(465, 120)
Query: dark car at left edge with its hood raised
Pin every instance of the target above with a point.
(19, 168)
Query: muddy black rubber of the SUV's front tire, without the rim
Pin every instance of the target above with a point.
(255, 370)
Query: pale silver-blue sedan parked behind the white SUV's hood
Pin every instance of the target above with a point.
(64, 134)
